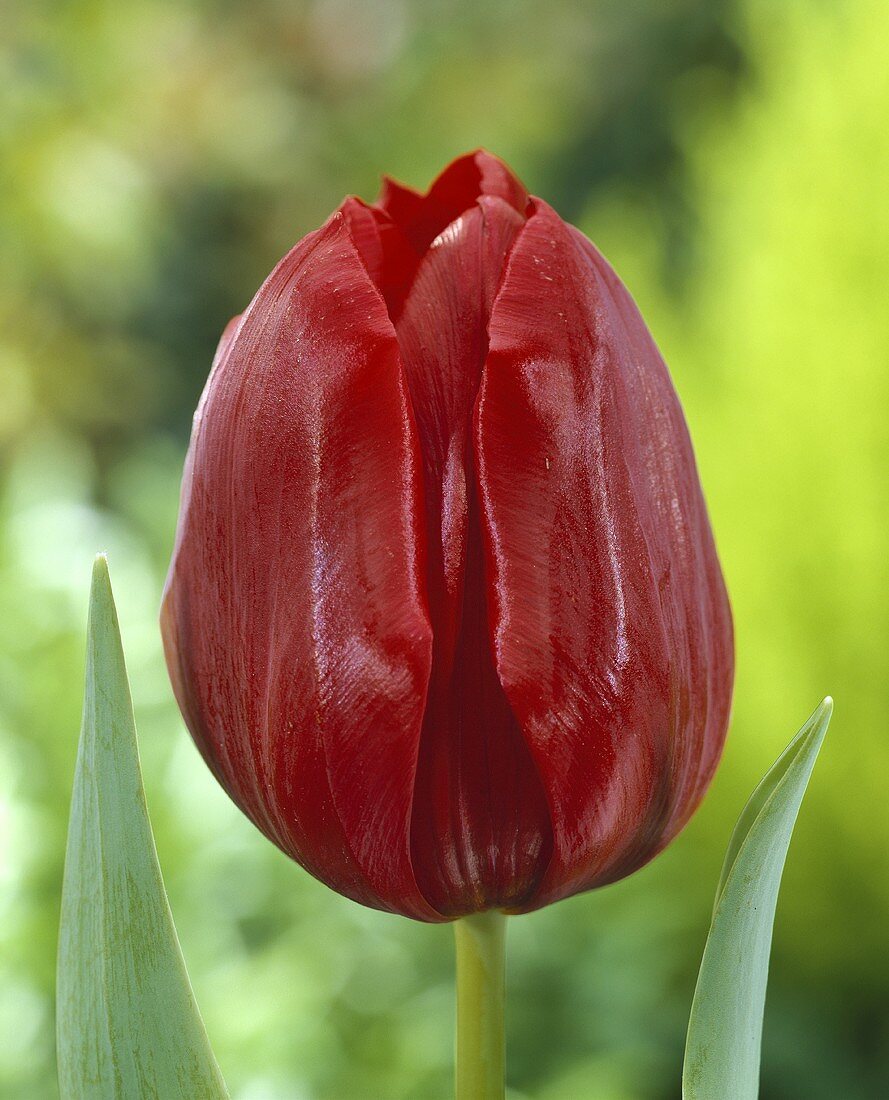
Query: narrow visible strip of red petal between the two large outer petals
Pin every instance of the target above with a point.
(480, 826)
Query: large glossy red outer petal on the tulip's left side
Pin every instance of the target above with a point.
(295, 623)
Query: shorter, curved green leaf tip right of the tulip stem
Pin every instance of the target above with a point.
(726, 1030)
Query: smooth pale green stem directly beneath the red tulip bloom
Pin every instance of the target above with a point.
(481, 988)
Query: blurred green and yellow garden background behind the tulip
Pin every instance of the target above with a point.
(732, 160)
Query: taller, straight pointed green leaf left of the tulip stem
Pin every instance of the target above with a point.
(128, 1026)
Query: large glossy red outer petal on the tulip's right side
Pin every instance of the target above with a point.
(613, 633)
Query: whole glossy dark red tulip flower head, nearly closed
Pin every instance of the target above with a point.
(445, 615)
